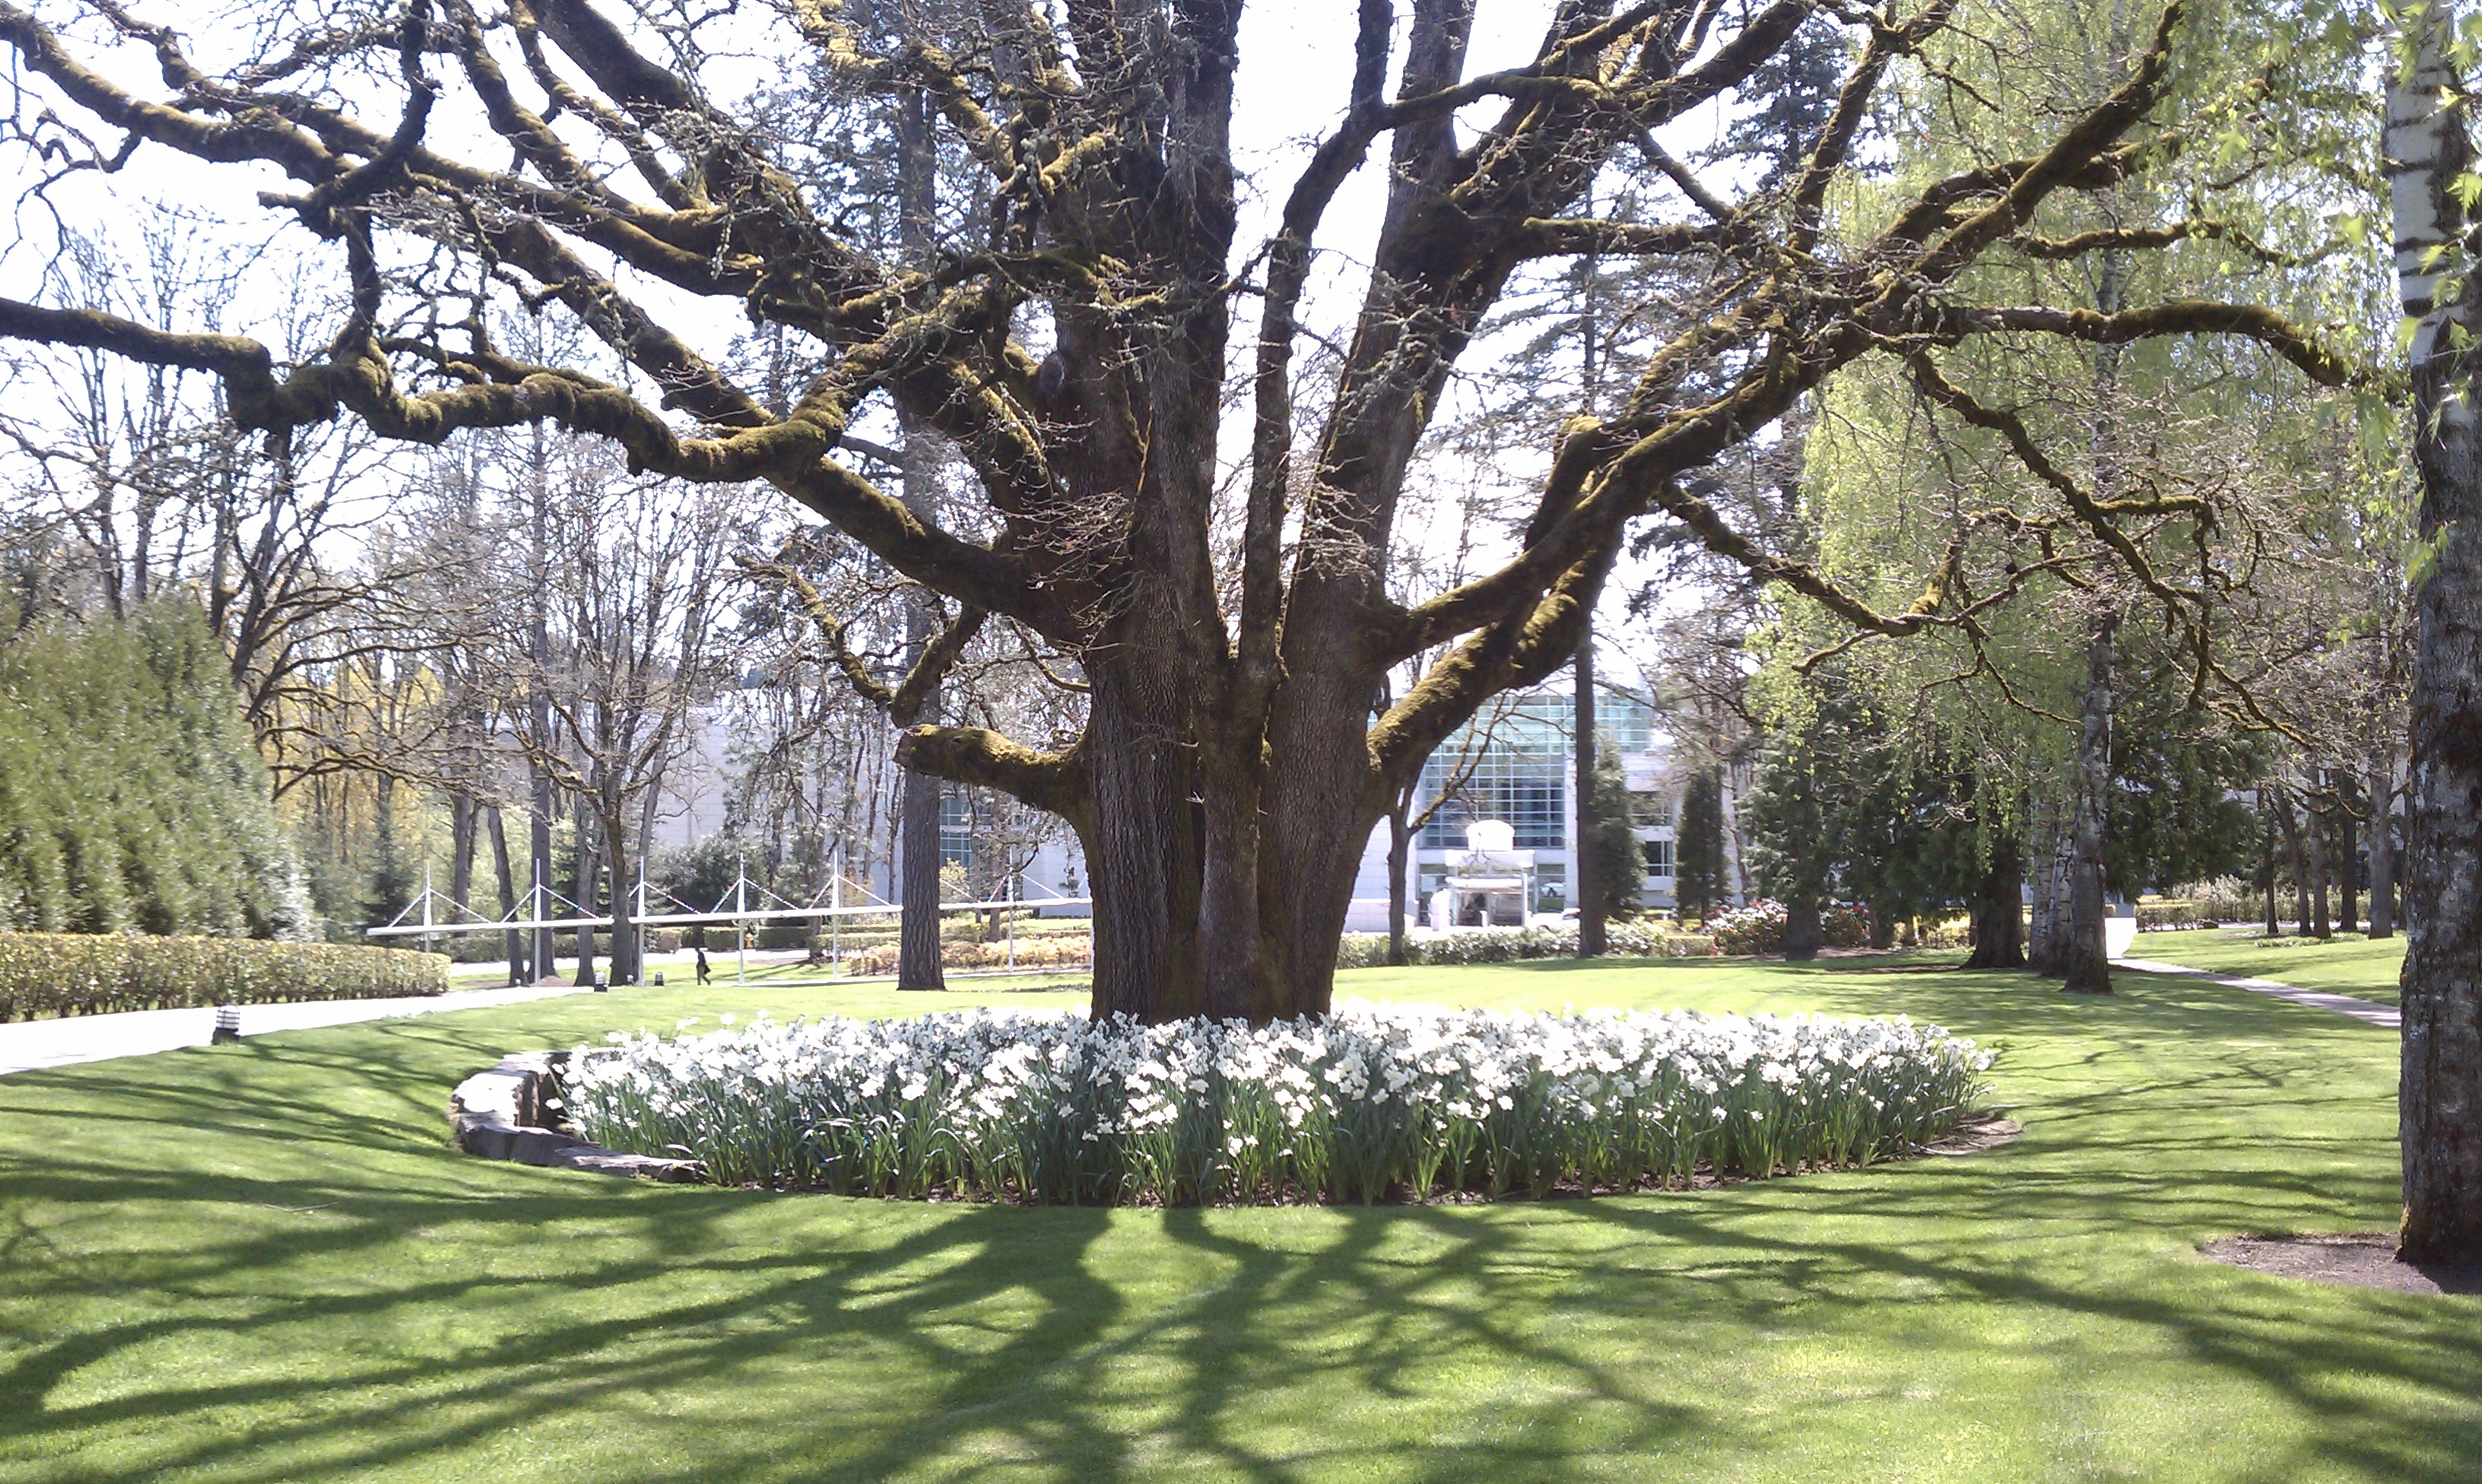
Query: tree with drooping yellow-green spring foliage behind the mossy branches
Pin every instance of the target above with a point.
(2106, 515)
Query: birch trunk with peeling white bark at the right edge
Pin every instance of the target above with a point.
(2441, 1086)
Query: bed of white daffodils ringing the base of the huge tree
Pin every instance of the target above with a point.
(1366, 1103)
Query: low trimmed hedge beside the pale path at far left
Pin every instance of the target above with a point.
(98, 974)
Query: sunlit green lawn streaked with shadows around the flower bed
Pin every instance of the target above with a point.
(267, 1264)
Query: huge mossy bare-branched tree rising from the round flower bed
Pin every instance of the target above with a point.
(1227, 604)
